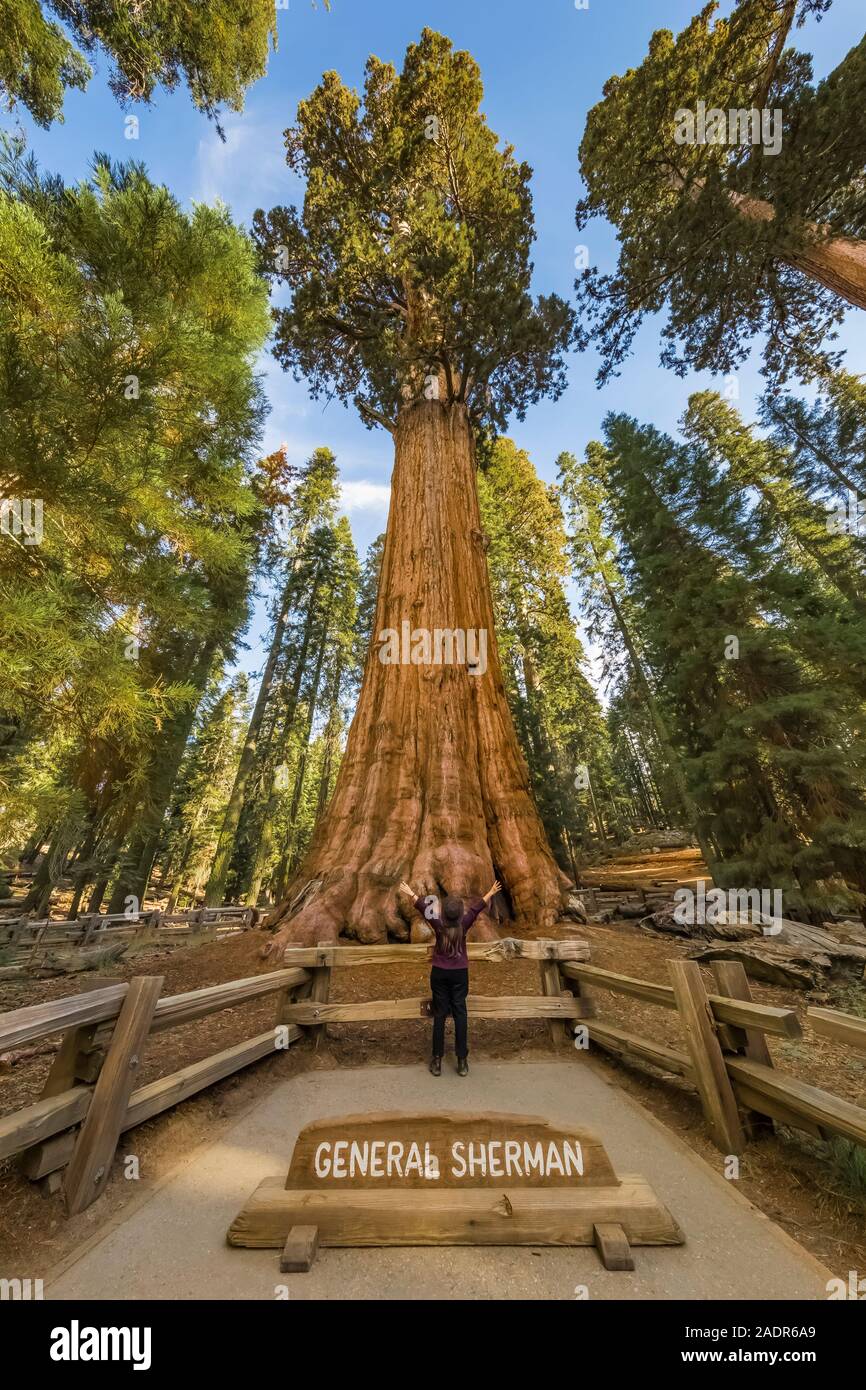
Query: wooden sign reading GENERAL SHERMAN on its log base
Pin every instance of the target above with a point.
(455, 1178)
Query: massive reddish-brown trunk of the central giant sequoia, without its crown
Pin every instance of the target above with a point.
(433, 787)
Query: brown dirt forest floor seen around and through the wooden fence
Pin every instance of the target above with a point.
(811, 1192)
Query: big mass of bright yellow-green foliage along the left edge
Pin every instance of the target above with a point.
(131, 412)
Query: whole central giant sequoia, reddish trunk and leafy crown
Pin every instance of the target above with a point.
(411, 275)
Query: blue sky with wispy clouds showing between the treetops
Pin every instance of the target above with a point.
(544, 66)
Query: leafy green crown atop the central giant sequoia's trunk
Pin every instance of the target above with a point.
(409, 265)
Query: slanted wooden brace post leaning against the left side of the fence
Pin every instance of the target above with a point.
(88, 1171)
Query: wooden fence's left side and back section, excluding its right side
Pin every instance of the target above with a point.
(92, 1079)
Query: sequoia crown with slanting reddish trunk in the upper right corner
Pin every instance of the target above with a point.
(736, 227)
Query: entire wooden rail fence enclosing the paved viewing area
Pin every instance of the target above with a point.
(90, 1099)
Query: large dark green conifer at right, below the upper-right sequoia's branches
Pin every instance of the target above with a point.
(774, 755)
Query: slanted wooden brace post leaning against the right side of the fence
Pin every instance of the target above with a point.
(708, 1060)
